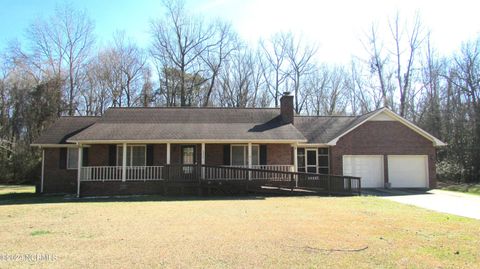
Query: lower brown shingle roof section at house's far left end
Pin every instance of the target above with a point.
(63, 128)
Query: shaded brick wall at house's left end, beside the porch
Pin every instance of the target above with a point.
(58, 180)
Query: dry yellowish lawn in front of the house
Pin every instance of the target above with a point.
(275, 232)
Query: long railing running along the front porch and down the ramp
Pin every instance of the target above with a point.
(200, 174)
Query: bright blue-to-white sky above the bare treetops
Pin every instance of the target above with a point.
(336, 26)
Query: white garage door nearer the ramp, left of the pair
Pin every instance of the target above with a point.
(368, 167)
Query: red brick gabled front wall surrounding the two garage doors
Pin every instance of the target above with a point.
(383, 138)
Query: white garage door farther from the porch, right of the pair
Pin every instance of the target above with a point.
(408, 171)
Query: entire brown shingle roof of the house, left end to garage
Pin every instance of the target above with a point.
(197, 124)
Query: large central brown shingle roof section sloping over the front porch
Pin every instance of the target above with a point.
(189, 124)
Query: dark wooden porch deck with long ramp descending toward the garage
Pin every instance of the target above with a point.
(217, 180)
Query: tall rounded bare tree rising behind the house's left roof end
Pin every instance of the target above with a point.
(61, 46)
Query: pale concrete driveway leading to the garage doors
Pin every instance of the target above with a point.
(461, 204)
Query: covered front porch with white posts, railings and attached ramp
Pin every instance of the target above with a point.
(134, 168)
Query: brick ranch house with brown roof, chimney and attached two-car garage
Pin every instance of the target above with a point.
(127, 149)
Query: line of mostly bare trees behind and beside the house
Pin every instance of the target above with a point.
(60, 69)
